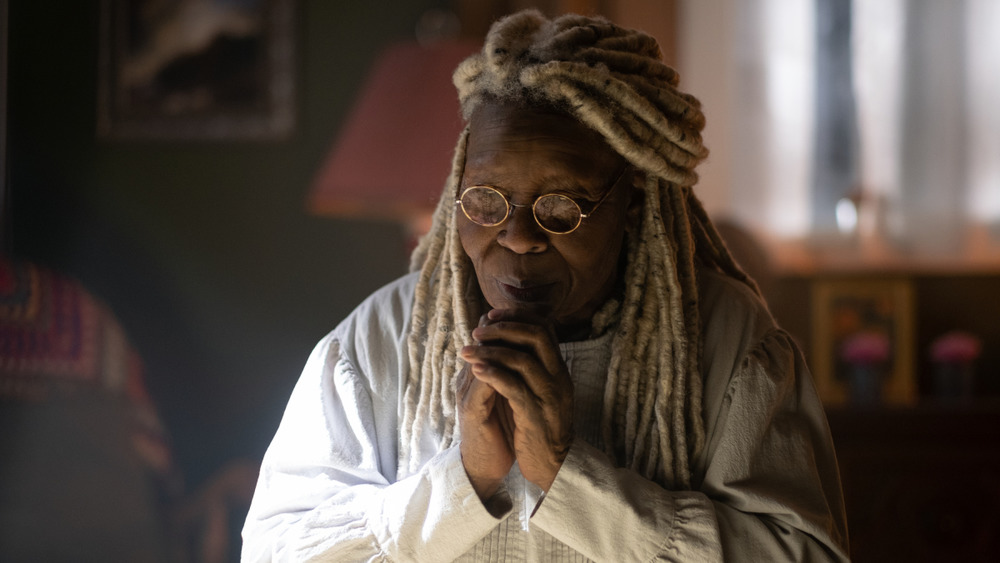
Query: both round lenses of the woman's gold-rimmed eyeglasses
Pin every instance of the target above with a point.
(488, 207)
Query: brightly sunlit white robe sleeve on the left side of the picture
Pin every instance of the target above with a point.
(327, 489)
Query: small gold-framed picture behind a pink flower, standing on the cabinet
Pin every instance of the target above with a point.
(863, 341)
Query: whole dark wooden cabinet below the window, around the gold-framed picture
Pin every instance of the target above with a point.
(921, 483)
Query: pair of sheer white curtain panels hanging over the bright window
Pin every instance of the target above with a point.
(926, 76)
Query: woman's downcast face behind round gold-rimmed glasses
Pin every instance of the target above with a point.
(524, 154)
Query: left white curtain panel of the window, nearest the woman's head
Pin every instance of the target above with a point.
(773, 116)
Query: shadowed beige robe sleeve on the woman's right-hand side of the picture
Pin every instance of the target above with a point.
(771, 491)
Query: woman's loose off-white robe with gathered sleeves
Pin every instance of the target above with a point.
(767, 486)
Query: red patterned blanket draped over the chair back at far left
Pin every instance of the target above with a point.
(55, 337)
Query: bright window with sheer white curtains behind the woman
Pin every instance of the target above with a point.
(887, 107)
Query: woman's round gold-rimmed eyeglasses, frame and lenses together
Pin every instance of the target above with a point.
(555, 213)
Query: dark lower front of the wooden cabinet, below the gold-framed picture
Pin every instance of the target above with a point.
(921, 484)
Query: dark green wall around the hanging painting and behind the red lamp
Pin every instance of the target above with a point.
(203, 249)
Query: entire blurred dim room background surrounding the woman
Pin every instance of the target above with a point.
(194, 193)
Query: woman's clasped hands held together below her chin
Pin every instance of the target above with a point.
(515, 402)
